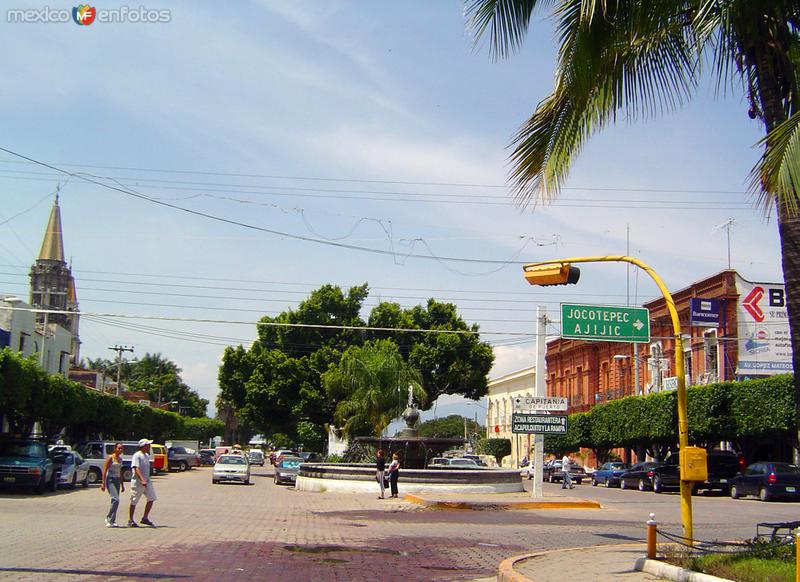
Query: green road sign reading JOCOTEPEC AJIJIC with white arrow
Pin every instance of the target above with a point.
(607, 323)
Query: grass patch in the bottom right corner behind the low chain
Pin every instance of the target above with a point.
(760, 562)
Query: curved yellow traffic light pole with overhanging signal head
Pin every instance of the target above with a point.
(683, 424)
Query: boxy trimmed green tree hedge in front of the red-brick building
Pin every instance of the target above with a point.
(727, 411)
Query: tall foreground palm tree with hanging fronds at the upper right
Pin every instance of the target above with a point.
(638, 58)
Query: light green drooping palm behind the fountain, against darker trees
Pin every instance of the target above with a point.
(370, 384)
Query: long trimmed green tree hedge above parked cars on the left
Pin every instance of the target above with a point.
(28, 395)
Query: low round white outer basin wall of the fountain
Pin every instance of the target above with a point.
(360, 478)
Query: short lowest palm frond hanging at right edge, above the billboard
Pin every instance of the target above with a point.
(776, 177)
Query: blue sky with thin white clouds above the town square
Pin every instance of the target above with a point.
(221, 159)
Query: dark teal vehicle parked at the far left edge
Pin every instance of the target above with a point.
(24, 464)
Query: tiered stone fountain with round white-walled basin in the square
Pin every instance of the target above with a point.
(414, 452)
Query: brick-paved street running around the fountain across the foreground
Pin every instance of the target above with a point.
(269, 532)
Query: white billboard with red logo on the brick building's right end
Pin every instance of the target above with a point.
(765, 348)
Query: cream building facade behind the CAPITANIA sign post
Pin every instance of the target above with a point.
(500, 405)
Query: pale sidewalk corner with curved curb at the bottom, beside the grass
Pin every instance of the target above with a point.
(598, 563)
